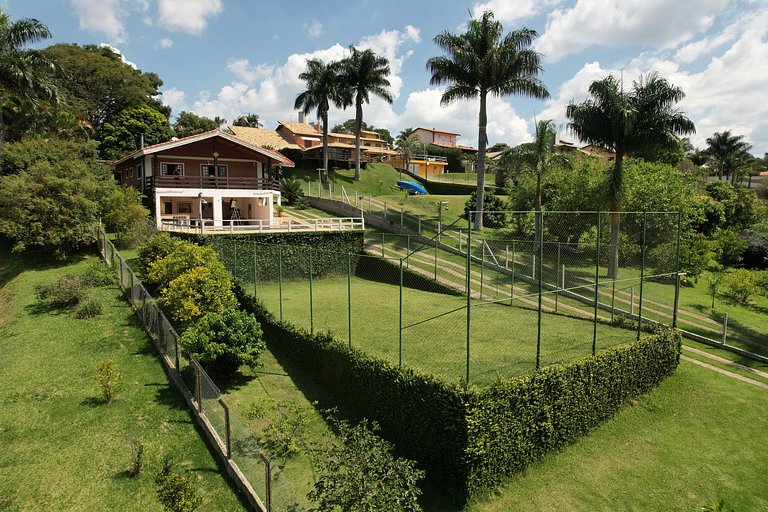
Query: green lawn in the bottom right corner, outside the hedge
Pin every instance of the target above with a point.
(698, 437)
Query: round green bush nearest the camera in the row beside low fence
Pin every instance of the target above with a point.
(224, 341)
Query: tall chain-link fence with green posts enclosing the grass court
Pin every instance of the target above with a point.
(525, 292)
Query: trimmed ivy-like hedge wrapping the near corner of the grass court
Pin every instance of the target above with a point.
(470, 439)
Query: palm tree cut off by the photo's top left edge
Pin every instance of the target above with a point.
(23, 72)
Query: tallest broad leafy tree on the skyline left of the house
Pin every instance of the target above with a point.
(99, 85)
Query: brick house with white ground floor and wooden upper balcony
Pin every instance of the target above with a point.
(212, 176)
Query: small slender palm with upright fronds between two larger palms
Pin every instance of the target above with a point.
(539, 156)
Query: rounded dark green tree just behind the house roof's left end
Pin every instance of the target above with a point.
(123, 135)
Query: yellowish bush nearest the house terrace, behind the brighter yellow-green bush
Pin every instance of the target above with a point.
(183, 257)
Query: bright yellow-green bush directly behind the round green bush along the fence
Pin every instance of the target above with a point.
(197, 292)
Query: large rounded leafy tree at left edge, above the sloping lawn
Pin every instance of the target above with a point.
(52, 207)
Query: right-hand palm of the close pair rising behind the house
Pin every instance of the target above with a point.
(365, 73)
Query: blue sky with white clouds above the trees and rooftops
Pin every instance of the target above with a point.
(228, 57)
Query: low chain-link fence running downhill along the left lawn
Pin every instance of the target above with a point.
(239, 450)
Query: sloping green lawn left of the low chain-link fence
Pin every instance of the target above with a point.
(63, 449)
